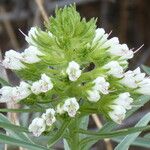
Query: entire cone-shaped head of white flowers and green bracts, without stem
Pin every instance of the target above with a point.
(62, 58)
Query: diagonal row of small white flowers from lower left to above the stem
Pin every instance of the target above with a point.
(39, 124)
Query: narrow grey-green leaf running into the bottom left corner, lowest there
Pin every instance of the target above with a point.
(9, 140)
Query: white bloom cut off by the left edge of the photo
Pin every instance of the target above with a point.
(6, 94)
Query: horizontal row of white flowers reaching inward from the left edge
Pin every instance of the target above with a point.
(15, 94)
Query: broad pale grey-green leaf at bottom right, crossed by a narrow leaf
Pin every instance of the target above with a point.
(128, 140)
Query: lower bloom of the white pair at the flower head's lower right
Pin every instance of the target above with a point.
(117, 114)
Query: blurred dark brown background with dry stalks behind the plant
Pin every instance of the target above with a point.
(127, 19)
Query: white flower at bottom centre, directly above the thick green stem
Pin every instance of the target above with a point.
(71, 106)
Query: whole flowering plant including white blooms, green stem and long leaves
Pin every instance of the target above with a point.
(70, 71)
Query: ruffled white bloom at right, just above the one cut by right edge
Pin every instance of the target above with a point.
(133, 78)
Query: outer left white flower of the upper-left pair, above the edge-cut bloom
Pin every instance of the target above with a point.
(12, 60)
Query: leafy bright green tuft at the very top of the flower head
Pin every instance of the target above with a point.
(72, 31)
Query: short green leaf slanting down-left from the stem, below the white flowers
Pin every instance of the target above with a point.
(59, 134)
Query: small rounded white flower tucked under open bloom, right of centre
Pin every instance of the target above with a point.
(93, 95)
